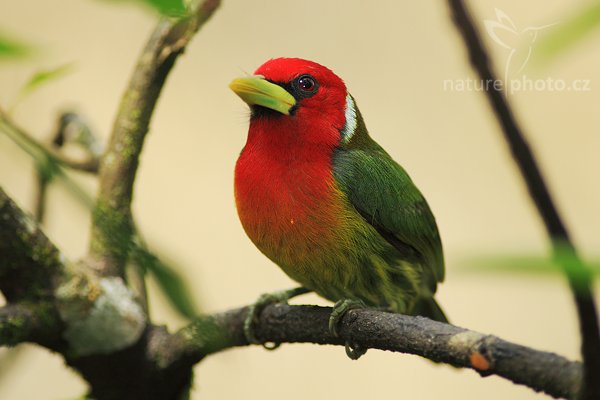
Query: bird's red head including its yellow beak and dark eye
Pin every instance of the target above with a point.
(295, 100)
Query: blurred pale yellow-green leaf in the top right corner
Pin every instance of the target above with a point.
(569, 33)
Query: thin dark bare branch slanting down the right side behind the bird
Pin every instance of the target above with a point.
(577, 274)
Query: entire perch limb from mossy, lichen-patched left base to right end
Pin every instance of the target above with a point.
(67, 311)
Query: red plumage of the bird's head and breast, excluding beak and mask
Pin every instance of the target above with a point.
(285, 191)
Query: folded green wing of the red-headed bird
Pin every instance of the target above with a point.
(383, 193)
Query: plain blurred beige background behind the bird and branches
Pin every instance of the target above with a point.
(395, 57)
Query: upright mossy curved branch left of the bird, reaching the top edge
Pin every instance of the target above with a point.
(112, 225)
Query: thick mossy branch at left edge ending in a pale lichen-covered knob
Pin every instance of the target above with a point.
(90, 314)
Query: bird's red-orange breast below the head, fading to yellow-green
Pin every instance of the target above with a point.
(285, 191)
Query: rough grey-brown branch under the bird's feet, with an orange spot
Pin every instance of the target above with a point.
(487, 354)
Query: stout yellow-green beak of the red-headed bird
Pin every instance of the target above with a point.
(256, 90)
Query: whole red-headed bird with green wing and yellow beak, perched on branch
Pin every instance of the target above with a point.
(326, 203)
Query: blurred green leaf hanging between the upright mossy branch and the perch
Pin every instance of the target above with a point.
(170, 282)
